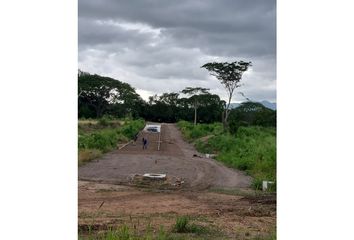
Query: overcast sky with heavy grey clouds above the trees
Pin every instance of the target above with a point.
(159, 46)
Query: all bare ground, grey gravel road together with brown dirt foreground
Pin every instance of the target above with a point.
(112, 191)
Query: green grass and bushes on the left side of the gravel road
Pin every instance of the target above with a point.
(103, 135)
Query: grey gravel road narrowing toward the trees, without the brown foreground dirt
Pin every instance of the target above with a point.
(176, 158)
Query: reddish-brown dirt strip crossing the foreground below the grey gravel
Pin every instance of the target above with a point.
(102, 206)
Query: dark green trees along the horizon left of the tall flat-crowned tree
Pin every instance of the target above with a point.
(99, 95)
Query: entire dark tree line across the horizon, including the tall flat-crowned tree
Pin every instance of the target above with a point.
(99, 96)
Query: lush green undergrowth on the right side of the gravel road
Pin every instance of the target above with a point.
(252, 149)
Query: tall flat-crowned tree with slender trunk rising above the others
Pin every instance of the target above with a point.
(230, 75)
